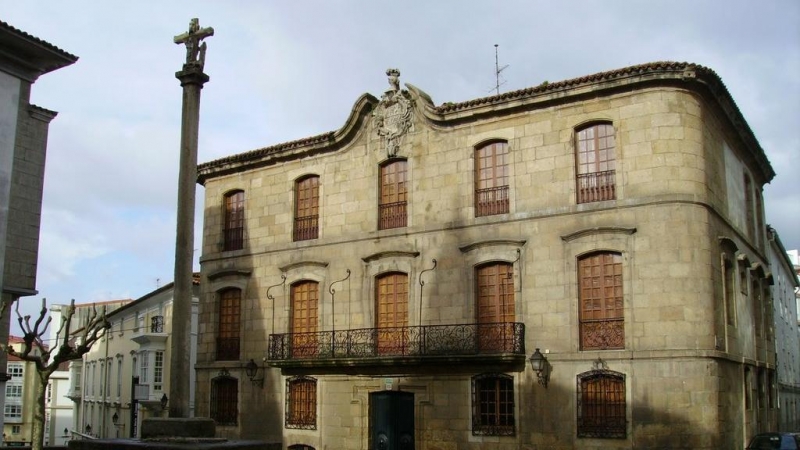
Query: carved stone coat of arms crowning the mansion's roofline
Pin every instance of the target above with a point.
(392, 117)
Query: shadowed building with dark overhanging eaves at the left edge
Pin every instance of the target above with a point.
(23, 147)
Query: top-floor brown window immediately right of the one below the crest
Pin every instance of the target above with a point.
(491, 179)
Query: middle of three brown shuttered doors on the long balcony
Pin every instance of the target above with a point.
(391, 297)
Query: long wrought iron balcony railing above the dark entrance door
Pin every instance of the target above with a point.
(462, 343)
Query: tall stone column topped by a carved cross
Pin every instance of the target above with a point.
(192, 79)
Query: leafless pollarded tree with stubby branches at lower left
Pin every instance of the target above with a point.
(48, 358)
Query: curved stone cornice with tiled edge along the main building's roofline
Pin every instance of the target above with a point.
(689, 76)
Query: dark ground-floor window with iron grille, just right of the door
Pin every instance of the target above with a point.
(493, 405)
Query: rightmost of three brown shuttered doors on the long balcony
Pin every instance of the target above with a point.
(495, 308)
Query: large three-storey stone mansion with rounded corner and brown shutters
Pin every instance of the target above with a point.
(580, 264)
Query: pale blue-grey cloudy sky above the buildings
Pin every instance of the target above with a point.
(286, 70)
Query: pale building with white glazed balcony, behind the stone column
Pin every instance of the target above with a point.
(125, 376)
